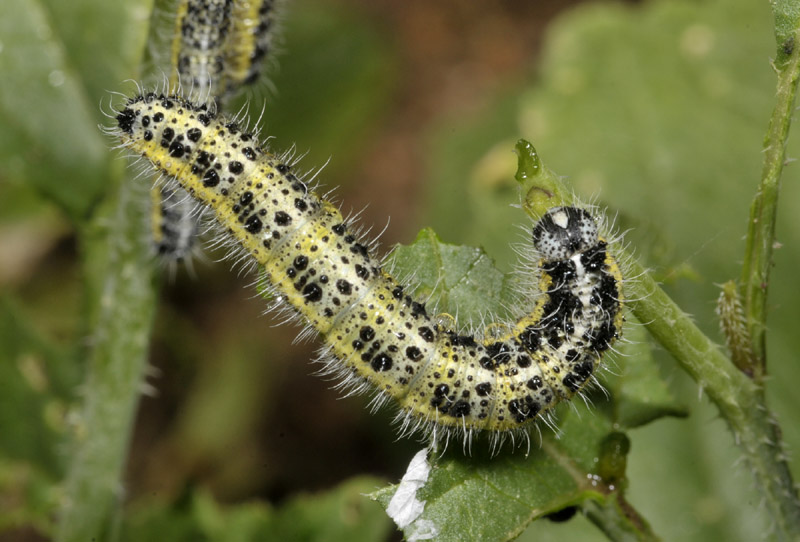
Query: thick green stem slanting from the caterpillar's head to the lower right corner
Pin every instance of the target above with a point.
(739, 399)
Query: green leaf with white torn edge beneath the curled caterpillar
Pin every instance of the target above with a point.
(480, 497)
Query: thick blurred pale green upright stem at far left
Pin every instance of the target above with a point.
(122, 305)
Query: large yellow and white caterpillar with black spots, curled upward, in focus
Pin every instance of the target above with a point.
(374, 332)
